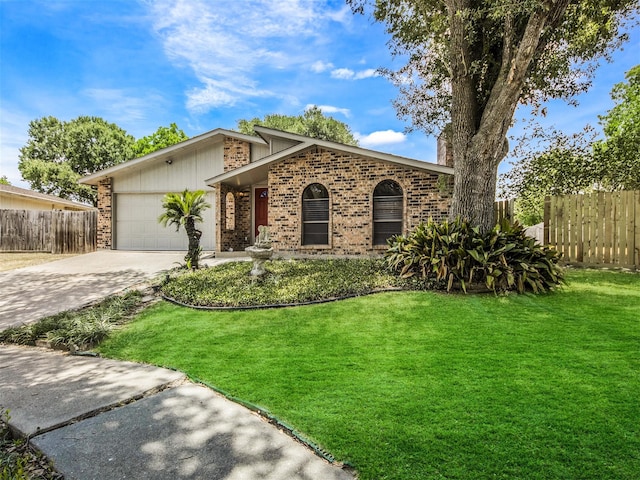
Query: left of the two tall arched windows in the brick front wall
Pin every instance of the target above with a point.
(315, 215)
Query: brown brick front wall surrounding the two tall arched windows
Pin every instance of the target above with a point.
(350, 181)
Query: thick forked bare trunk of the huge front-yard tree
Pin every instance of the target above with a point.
(479, 133)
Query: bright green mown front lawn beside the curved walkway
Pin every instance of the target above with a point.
(416, 385)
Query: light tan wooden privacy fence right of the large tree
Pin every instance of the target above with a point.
(597, 228)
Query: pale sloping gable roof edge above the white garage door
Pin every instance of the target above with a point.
(167, 153)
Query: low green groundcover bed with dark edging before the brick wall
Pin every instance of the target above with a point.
(286, 282)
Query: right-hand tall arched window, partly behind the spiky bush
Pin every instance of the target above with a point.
(387, 211)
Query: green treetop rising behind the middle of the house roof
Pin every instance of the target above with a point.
(313, 123)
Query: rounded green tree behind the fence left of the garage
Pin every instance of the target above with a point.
(58, 153)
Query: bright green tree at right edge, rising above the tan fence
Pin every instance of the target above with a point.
(619, 153)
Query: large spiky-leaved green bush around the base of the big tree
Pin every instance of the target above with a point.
(454, 256)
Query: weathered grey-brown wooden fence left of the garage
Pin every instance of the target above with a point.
(55, 231)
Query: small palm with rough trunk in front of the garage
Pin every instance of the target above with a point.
(186, 209)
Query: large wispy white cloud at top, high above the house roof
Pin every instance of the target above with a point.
(229, 46)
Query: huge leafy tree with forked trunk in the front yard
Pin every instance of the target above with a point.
(471, 62)
